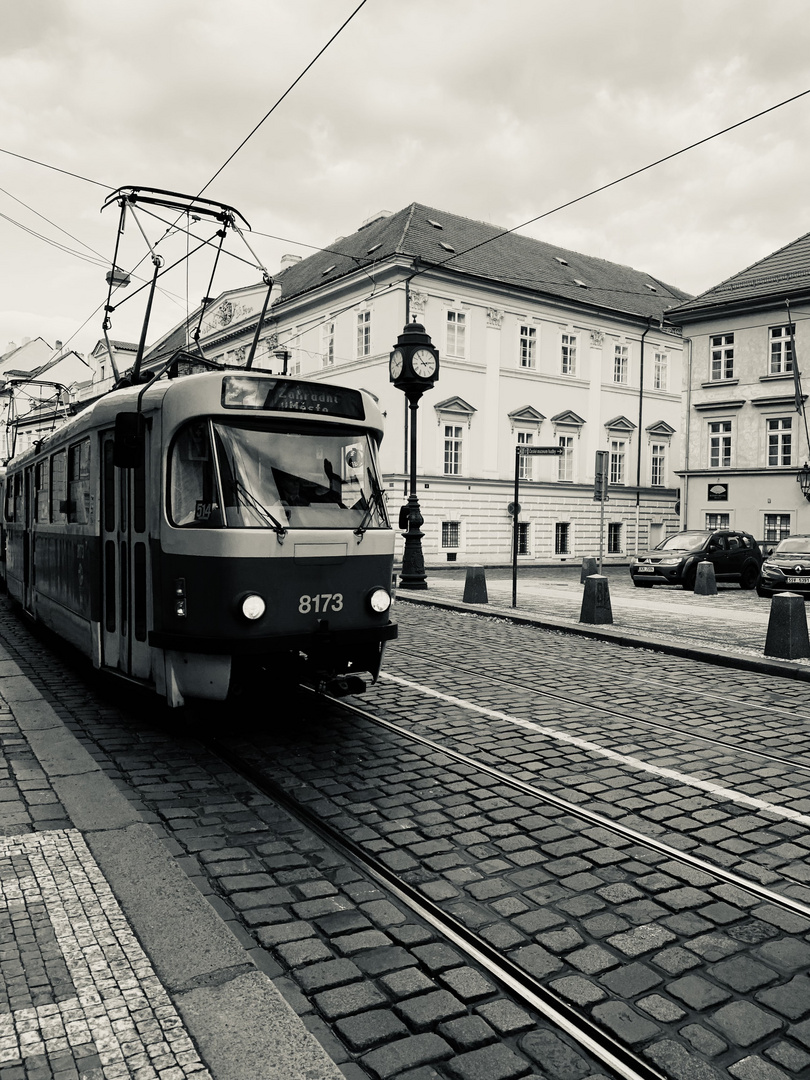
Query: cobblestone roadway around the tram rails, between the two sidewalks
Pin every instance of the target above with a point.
(703, 978)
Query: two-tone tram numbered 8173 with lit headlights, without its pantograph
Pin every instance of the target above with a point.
(210, 535)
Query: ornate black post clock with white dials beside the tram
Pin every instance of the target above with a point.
(413, 369)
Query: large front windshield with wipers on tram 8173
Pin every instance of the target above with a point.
(236, 477)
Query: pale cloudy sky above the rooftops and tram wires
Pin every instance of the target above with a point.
(501, 111)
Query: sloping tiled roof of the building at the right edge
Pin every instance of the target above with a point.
(777, 277)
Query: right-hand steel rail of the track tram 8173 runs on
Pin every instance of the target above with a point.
(572, 808)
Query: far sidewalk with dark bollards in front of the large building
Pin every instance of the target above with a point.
(728, 629)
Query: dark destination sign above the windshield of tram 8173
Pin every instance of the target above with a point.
(292, 396)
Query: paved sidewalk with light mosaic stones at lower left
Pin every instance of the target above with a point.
(114, 965)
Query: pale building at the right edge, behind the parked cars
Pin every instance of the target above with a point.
(745, 424)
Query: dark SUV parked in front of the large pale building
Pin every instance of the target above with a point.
(736, 557)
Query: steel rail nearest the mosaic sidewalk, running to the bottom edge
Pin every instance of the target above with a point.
(584, 1031)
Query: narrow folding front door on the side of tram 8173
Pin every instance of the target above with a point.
(125, 564)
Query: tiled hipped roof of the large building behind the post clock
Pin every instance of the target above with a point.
(478, 250)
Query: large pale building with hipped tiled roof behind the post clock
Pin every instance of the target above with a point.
(539, 346)
